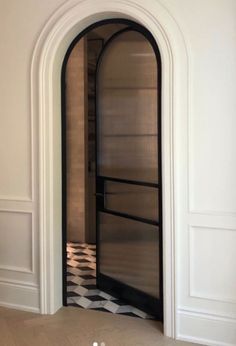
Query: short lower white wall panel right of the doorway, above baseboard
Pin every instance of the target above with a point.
(211, 264)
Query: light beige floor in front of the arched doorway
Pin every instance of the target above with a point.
(78, 327)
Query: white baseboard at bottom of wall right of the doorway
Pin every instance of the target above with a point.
(206, 329)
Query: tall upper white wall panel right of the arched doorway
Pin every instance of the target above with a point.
(212, 159)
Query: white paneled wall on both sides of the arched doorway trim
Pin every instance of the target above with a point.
(206, 275)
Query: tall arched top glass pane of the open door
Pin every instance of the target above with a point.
(127, 110)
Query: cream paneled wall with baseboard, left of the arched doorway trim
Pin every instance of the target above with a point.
(20, 25)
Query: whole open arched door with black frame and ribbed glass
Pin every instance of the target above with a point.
(128, 170)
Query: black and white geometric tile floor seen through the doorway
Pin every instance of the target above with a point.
(81, 284)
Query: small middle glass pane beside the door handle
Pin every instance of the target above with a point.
(136, 200)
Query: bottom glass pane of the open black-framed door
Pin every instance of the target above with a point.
(129, 252)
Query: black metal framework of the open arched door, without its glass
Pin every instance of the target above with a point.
(135, 297)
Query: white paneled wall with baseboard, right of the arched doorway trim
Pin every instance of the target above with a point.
(207, 256)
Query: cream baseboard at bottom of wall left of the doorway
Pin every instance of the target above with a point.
(19, 296)
